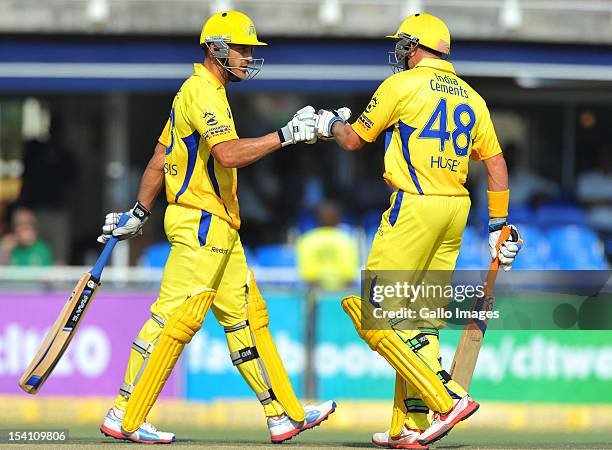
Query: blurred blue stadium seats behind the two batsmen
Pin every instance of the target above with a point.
(578, 248)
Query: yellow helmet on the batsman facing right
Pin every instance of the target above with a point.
(233, 27)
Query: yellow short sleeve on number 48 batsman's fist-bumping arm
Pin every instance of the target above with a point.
(379, 114)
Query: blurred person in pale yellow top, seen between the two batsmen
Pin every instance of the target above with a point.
(328, 256)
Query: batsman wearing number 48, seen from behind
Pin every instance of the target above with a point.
(433, 123)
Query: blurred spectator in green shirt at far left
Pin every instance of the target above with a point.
(22, 247)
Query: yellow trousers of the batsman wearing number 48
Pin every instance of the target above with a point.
(420, 233)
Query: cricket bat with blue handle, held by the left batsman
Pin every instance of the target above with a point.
(63, 330)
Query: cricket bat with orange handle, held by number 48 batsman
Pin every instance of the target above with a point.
(470, 343)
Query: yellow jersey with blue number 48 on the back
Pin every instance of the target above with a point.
(433, 122)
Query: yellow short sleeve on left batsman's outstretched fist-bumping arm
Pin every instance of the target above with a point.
(214, 122)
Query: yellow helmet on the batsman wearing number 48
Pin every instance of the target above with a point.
(430, 31)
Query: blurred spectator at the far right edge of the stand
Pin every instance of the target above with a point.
(595, 191)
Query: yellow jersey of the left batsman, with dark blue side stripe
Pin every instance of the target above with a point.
(200, 118)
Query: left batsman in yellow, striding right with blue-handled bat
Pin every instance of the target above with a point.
(197, 156)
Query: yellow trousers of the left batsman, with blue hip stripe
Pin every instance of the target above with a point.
(206, 253)
